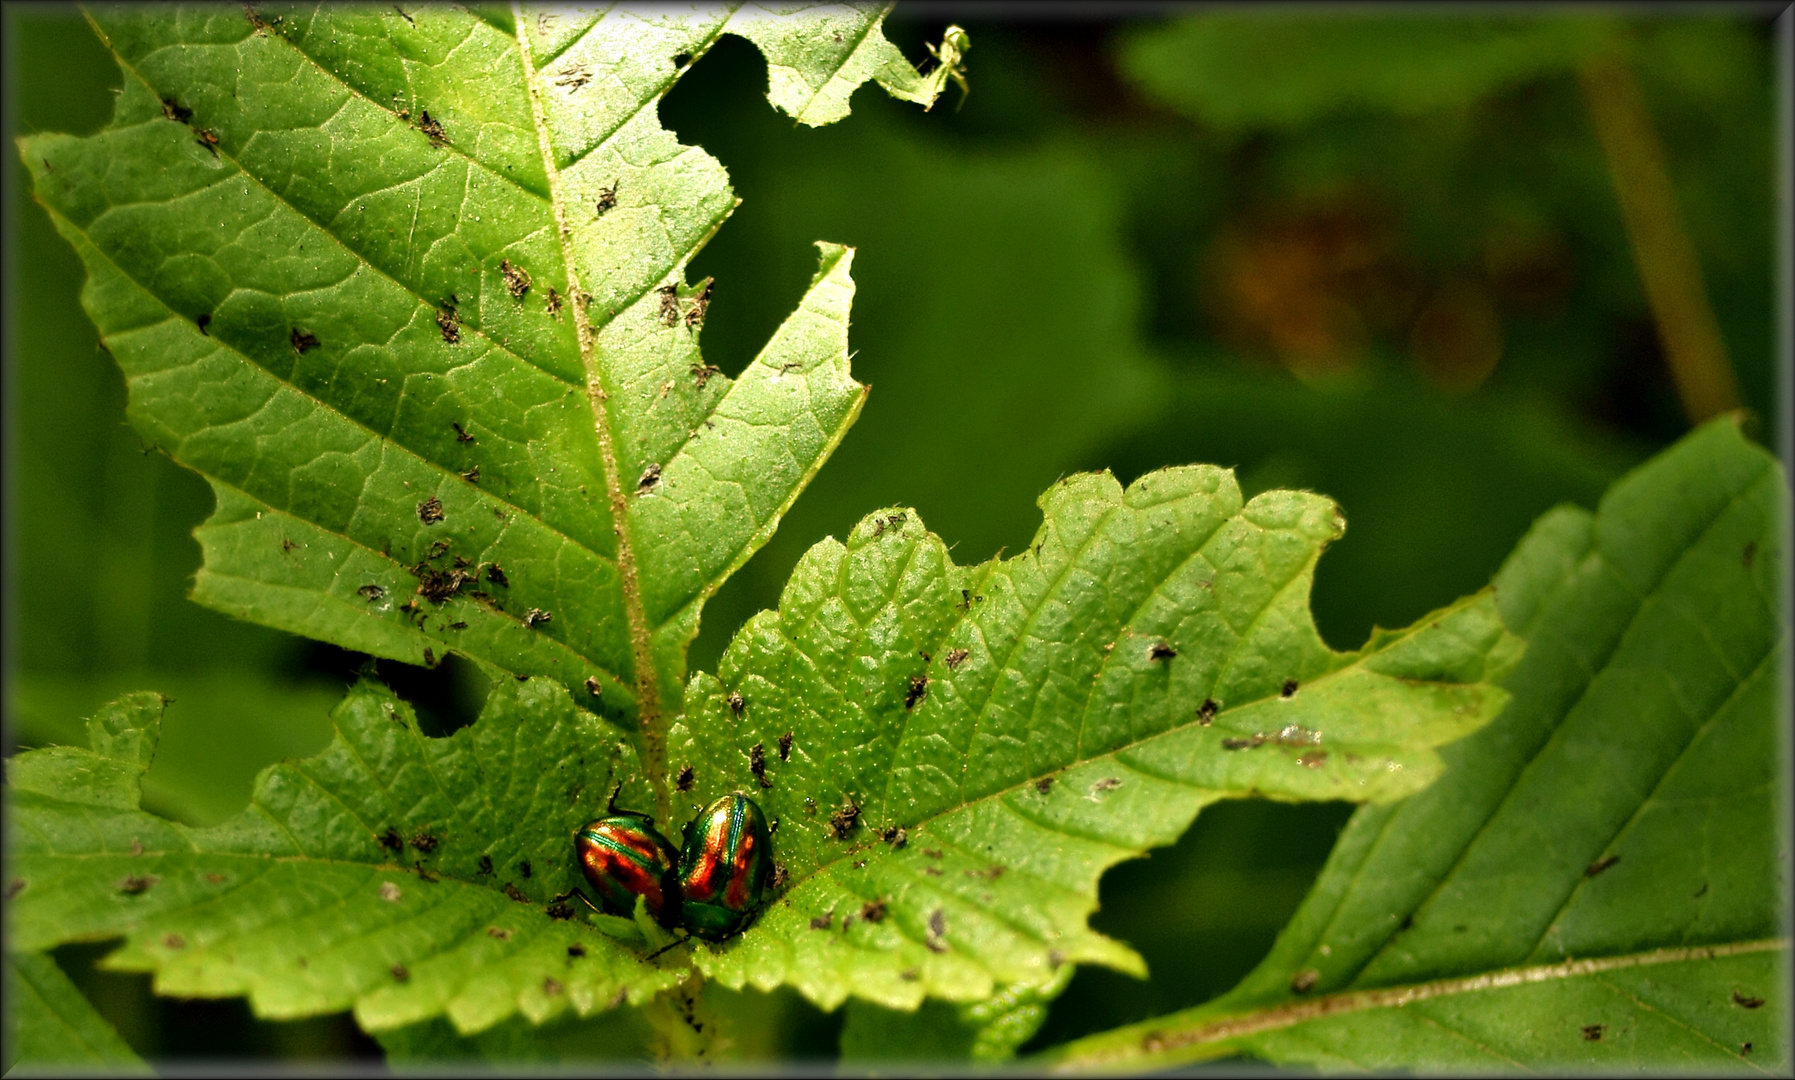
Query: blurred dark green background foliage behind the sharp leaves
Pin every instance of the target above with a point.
(1367, 256)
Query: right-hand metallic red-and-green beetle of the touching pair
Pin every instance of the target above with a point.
(726, 866)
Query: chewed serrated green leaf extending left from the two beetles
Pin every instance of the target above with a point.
(396, 875)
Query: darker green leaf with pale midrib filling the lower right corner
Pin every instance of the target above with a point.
(1600, 882)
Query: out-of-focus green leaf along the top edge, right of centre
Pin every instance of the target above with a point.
(1288, 67)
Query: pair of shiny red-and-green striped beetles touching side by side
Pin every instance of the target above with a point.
(712, 889)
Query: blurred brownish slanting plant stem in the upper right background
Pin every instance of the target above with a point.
(1667, 257)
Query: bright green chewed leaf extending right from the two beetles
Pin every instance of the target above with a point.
(1031, 722)
